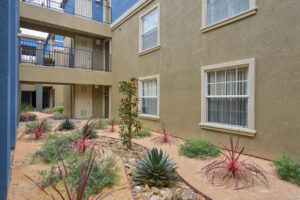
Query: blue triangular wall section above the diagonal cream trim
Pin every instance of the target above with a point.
(119, 7)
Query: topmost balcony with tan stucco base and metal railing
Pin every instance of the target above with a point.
(63, 19)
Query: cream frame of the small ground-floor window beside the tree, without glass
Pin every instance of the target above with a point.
(148, 78)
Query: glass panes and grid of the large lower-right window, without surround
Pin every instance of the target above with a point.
(227, 96)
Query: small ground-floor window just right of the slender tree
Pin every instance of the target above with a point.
(149, 96)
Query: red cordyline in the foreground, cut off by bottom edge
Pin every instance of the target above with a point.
(83, 177)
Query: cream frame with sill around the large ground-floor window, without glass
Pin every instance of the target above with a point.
(250, 130)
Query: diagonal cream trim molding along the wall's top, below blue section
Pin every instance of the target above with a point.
(129, 13)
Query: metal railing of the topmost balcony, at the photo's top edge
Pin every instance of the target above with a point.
(97, 10)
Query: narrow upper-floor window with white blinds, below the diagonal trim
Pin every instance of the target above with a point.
(149, 30)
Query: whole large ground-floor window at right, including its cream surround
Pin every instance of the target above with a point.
(228, 96)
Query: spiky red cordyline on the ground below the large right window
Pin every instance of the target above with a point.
(231, 169)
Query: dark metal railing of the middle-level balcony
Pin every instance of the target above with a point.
(57, 56)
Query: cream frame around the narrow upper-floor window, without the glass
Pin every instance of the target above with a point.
(156, 47)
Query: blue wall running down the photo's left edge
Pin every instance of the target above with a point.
(8, 88)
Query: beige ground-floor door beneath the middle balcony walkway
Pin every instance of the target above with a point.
(83, 101)
